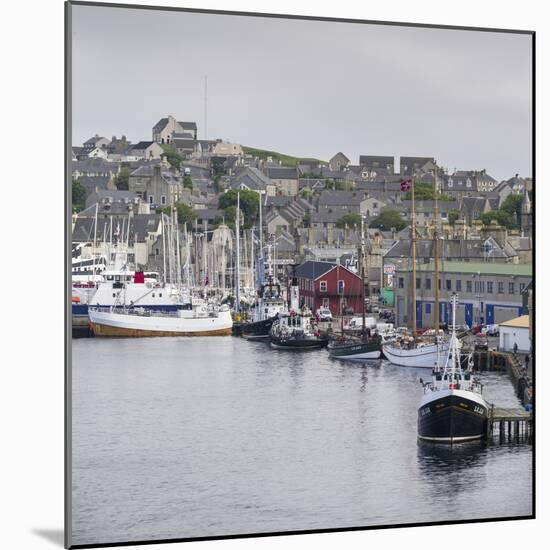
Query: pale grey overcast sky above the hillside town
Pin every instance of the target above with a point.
(307, 88)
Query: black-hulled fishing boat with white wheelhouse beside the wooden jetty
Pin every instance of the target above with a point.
(453, 409)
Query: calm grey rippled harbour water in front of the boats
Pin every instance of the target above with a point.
(190, 437)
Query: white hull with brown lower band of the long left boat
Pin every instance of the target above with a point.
(124, 325)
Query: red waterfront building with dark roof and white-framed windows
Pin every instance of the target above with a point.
(323, 283)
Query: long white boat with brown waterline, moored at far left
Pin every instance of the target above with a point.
(187, 320)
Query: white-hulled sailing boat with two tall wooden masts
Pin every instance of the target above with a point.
(420, 353)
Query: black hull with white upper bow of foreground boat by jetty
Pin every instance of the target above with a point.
(452, 416)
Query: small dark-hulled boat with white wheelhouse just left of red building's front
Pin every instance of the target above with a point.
(296, 328)
